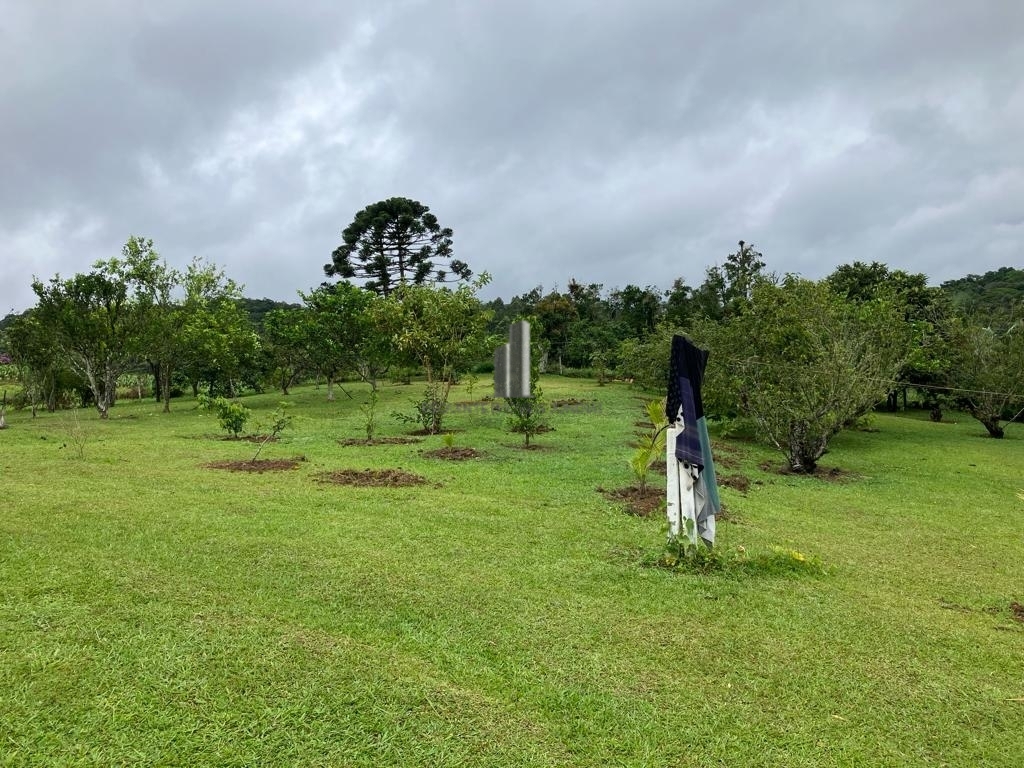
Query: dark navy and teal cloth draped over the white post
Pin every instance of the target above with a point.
(686, 380)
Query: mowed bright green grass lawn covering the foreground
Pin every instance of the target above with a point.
(156, 612)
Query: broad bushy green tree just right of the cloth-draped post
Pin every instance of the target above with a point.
(801, 363)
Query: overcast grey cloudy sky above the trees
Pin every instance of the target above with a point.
(615, 142)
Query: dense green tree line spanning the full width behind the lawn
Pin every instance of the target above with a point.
(796, 360)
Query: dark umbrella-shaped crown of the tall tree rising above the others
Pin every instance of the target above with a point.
(396, 242)
